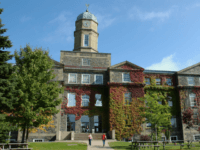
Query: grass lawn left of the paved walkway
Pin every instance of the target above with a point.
(58, 146)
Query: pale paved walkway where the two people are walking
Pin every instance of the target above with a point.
(95, 144)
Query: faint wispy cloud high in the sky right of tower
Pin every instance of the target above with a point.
(135, 13)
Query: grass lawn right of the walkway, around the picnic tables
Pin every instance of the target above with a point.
(125, 146)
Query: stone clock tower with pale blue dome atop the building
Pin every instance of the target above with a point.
(86, 35)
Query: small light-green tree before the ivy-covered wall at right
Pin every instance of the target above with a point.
(158, 114)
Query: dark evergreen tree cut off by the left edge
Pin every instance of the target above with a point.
(7, 86)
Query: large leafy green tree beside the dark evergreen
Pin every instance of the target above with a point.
(40, 93)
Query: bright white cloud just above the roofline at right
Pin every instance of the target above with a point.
(167, 63)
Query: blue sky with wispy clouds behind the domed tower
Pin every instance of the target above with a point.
(153, 34)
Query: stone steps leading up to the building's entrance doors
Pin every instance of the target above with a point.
(84, 136)
